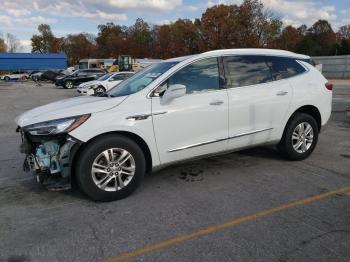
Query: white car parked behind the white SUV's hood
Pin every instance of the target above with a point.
(103, 84)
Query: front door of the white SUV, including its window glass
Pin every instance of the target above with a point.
(196, 123)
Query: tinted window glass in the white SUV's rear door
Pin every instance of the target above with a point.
(246, 70)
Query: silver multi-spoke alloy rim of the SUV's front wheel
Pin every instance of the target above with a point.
(113, 169)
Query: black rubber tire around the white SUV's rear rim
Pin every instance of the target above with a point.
(285, 146)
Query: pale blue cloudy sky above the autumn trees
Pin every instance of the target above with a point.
(21, 17)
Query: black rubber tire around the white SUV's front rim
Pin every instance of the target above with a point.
(87, 156)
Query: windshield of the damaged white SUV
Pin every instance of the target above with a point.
(141, 79)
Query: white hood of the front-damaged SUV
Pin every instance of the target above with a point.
(68, 107)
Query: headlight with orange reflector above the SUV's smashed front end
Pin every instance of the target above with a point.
(58, 126)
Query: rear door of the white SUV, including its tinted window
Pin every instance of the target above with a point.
(257, 102)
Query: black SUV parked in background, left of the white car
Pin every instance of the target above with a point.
(78, 77)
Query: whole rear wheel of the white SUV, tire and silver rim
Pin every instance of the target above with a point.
(300, 137)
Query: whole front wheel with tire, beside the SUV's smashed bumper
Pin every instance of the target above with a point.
(110, 168)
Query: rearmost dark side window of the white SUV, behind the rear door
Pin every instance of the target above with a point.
(284, 67)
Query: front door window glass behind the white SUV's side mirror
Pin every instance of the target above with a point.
(200, 76)
